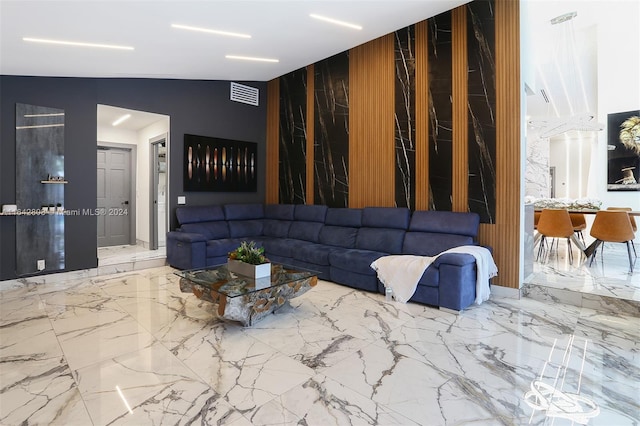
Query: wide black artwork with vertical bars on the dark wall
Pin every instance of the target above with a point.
(217, 164)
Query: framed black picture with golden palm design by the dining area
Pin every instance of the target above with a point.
(623, 151)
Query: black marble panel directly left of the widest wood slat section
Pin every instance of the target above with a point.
(331, 138)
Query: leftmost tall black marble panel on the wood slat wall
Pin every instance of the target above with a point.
(293, 137)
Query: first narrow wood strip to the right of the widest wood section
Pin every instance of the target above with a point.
(422, 117)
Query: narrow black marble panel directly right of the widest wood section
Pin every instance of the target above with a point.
(405, 120)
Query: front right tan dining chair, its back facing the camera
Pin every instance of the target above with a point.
(612, 226)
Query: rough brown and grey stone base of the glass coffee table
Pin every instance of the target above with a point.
(250, 307)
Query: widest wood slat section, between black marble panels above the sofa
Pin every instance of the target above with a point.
(371, 123)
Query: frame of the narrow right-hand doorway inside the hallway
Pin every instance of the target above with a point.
(153, 188)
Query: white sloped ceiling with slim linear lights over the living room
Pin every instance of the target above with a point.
(279, 29)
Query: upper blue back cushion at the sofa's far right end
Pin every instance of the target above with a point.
(445, 222)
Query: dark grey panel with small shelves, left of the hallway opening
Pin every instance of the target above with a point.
(39, 158)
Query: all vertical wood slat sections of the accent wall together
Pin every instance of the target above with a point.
(371, 128)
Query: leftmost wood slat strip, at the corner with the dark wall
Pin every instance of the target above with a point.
(272, 171)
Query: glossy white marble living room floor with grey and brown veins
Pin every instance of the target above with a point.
(129, 348)
